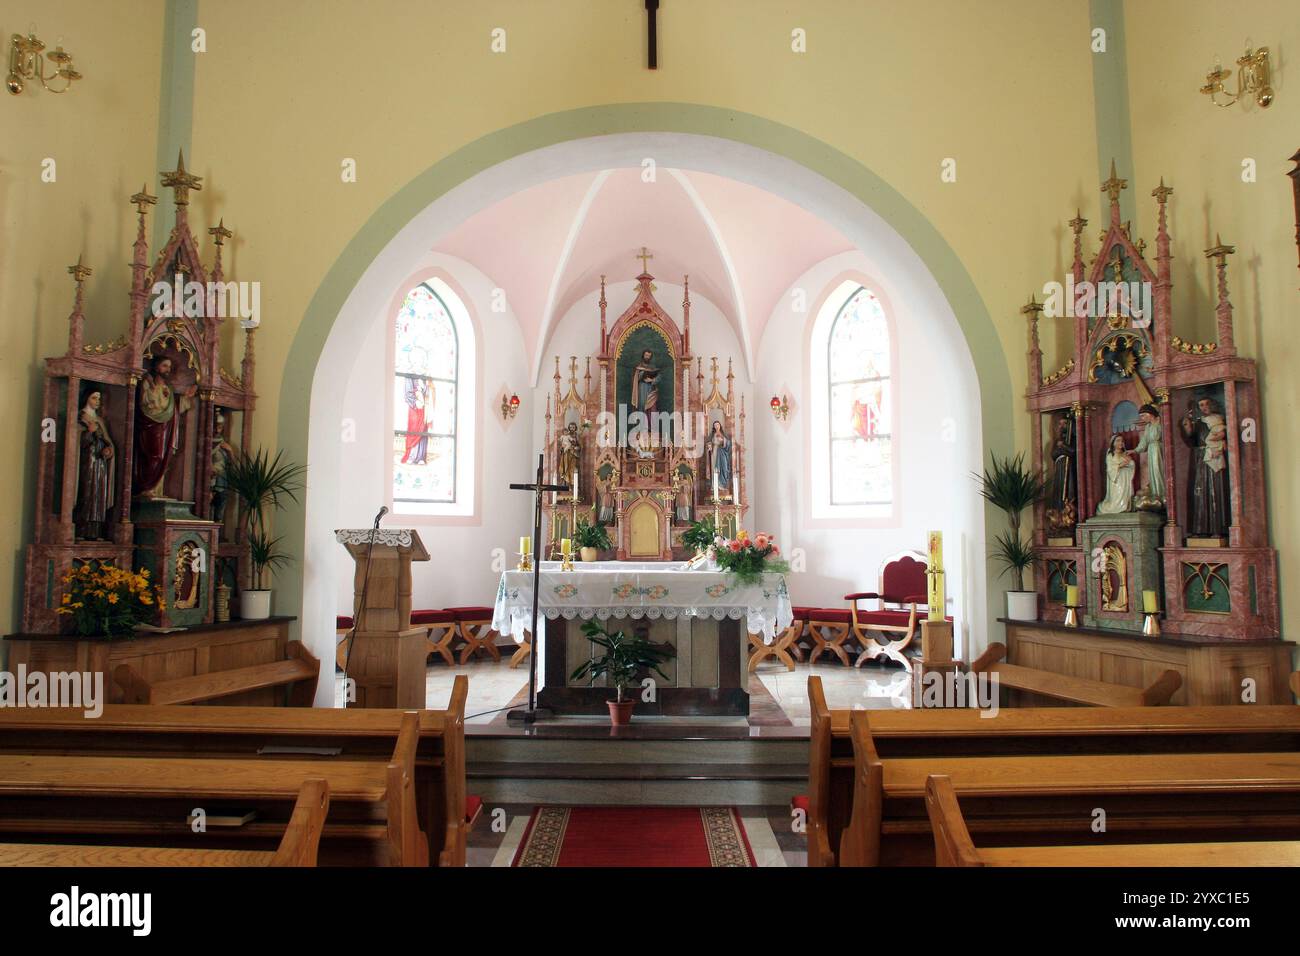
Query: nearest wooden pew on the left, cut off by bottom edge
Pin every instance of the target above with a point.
(297, 847)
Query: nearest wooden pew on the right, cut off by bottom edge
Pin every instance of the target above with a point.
(955, 847)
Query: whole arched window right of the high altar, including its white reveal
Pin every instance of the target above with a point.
(855, 417)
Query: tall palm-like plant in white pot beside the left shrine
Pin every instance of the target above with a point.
(261, 485)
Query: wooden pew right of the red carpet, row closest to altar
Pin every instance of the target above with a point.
(967, 733)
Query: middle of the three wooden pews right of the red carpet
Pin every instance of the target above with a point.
(1052, 799)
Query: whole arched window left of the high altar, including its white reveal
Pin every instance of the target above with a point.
(432, 427)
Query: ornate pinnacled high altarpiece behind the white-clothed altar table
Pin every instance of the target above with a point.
(651, 439)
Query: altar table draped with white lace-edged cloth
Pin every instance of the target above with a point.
(703, 616)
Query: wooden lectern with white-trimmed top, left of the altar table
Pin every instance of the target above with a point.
(388, 655)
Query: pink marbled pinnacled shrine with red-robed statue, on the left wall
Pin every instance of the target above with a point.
(137, 432)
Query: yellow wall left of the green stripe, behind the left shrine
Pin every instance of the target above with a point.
(102, 137)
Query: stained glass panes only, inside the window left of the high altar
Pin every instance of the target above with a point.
(426, 384)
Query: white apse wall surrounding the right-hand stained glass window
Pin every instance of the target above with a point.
(937, 444)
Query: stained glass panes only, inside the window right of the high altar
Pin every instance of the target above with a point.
(860, 409)
